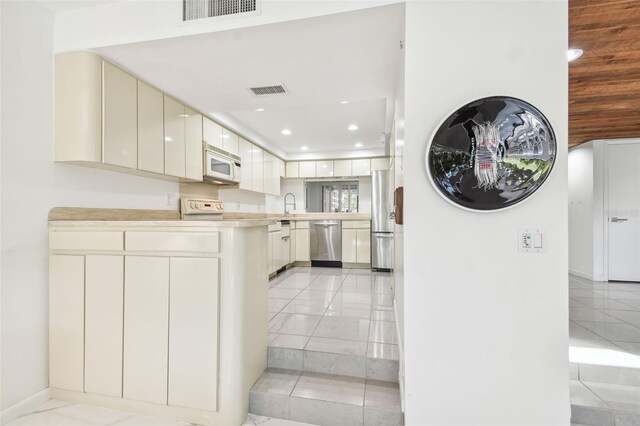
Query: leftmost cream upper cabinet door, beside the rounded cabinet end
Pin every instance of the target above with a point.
(120, 112)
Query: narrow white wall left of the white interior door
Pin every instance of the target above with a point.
(581, 210)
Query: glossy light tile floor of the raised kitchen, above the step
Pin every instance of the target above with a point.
(346, 311)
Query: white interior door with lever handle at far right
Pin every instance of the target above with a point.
(624, 206)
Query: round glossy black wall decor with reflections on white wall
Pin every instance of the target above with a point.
(491, 154)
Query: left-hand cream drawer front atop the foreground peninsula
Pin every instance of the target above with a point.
(86, 240)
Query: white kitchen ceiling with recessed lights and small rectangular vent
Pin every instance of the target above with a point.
(350, 56)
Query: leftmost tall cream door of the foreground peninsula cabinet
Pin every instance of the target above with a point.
(66, 322)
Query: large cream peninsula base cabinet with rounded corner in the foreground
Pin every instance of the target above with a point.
(135, 320)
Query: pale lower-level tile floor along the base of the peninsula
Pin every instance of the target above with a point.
(59, 413)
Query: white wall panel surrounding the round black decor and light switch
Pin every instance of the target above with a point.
(486, 330)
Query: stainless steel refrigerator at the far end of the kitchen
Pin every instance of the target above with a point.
(381, 220)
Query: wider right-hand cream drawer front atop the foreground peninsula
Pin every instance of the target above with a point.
(193, 242)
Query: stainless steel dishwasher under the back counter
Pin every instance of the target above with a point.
(325, 242)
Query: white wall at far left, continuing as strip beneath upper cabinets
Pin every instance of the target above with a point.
(31, 185)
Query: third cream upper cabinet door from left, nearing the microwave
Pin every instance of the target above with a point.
(174, 133)
